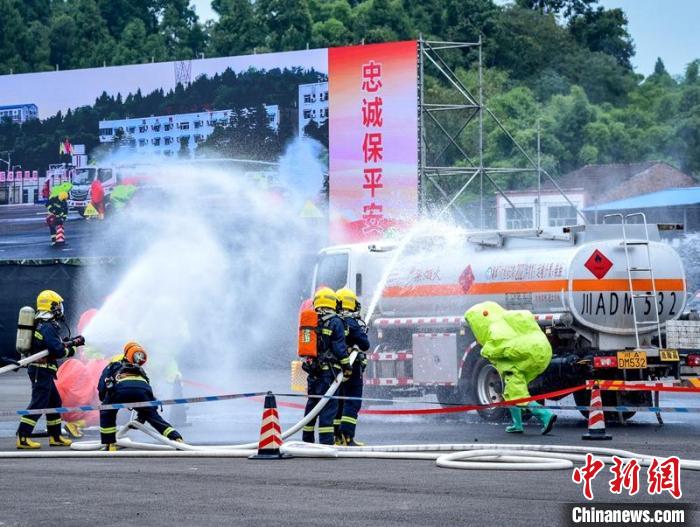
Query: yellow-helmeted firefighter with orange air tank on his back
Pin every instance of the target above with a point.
(328, 357)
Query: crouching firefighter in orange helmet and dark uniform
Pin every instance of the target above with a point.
(125, 381)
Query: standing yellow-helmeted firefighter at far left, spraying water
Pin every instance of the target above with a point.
(42, 373)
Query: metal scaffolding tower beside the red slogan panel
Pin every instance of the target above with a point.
(470, 112)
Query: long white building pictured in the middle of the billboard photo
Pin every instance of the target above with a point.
(163, 134)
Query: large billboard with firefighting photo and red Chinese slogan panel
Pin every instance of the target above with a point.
(330, 134)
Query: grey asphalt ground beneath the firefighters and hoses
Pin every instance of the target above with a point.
(325, 492)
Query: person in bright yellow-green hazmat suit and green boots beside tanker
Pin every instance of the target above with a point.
(516, 346)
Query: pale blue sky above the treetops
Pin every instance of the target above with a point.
(669, 29)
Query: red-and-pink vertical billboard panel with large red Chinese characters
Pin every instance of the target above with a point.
(373, 139)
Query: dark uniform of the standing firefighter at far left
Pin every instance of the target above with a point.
(42, 373)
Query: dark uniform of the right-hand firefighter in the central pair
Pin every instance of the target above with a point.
(355, 335)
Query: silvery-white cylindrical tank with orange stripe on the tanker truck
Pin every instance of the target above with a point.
(590, 280)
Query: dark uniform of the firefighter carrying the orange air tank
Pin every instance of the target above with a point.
(332, 357)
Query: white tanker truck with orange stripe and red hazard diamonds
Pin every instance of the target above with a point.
(602, 295)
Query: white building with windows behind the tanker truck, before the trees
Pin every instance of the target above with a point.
(555, 211)
